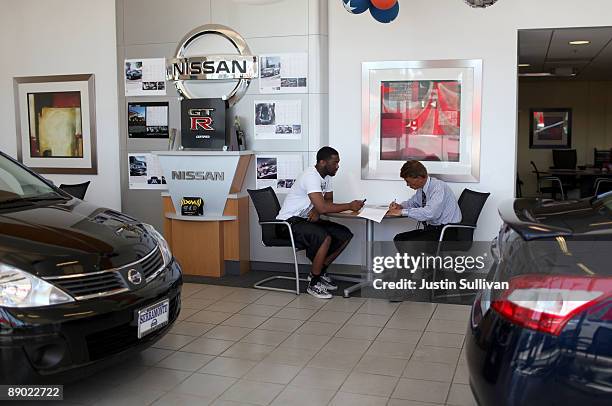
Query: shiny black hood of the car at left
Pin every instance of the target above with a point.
(70, 237)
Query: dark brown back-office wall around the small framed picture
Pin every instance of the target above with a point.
(591, 104)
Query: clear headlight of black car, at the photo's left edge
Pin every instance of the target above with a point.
(21, 289)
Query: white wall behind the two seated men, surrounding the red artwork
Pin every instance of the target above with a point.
(442, 29)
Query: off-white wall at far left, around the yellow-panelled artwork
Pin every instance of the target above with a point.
(59, 37)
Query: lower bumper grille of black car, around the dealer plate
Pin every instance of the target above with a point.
(120, 338)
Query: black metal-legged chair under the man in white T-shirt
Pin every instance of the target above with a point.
(267, 207)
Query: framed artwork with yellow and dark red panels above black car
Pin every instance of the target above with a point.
(56, 123)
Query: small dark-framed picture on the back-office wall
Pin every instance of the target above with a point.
(550, 128)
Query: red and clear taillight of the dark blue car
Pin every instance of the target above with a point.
(547, 302)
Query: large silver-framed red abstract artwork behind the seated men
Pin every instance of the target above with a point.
(421, 110)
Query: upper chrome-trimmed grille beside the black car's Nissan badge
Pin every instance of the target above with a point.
(110, 281)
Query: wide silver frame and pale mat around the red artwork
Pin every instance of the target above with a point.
(467, 73)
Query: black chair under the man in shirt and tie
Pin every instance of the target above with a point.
(471, 204)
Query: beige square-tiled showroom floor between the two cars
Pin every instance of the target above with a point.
(235, 346)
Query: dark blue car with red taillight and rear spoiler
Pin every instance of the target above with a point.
(547, 338)
